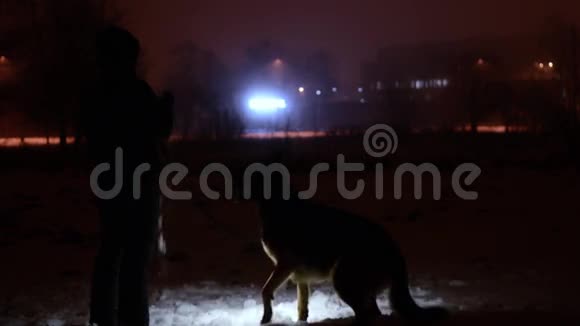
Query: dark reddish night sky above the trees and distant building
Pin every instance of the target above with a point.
(350, 30)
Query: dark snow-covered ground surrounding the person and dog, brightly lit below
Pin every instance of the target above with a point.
(506, 259)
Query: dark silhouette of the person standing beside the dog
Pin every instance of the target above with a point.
(124, 112)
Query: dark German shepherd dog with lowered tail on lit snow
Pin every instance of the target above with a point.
(310, 243)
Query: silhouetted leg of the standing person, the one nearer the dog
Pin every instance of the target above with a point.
(139, 245)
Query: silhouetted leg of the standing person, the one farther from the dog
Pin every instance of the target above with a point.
(104, 289)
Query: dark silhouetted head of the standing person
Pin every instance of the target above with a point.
(117, 52)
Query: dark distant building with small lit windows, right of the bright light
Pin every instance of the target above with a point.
(446, 85)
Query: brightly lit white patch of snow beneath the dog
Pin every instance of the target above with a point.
(212, 305)
